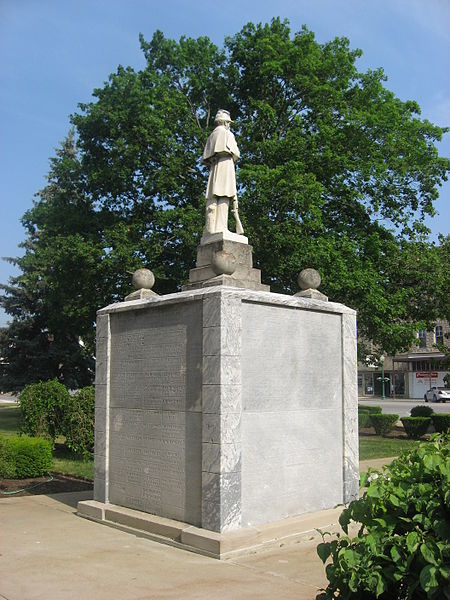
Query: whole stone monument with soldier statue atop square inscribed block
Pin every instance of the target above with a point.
(224, 413)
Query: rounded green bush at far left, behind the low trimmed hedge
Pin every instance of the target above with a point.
(42, 406)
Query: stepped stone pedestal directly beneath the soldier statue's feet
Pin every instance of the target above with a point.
(235, 268)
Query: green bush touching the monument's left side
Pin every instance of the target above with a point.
(78, 425)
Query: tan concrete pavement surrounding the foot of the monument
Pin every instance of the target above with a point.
(47, 552)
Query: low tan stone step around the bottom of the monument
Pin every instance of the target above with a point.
(209, 543)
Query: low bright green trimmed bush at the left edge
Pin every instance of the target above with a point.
(22, 457)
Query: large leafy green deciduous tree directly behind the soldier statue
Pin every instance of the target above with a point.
(336, 173)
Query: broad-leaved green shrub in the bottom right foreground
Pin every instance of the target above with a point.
(402, 548)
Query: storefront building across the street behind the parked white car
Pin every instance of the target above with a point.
(412, 373)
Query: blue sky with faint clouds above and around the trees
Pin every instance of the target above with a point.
(53, 53)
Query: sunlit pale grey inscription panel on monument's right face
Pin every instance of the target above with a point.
(292, 424)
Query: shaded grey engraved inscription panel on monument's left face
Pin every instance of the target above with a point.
(155, 411)
